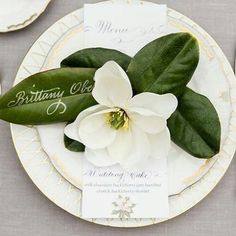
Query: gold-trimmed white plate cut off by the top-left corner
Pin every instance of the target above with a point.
(17, 14)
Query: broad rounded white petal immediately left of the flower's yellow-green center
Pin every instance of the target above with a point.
(95, 131)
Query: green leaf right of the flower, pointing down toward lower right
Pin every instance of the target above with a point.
(195, 125)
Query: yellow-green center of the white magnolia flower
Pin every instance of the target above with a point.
(118, 119)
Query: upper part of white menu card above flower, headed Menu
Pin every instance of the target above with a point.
(123, 27)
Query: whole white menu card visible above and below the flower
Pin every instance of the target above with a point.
(112, 192)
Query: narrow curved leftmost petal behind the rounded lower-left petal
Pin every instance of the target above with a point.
(72, 129)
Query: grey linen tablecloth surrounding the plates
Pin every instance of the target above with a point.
(25, 211)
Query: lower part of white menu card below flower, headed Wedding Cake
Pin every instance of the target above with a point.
(112, 192)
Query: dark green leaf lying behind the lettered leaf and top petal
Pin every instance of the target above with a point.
(96, 58)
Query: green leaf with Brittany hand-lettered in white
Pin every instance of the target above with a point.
(52, 96)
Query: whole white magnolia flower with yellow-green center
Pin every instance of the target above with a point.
(122, 128)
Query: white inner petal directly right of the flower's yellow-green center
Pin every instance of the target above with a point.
(146, 120)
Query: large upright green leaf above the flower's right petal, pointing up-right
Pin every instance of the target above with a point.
(165, 65)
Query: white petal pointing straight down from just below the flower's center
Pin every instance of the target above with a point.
(121, 146)
